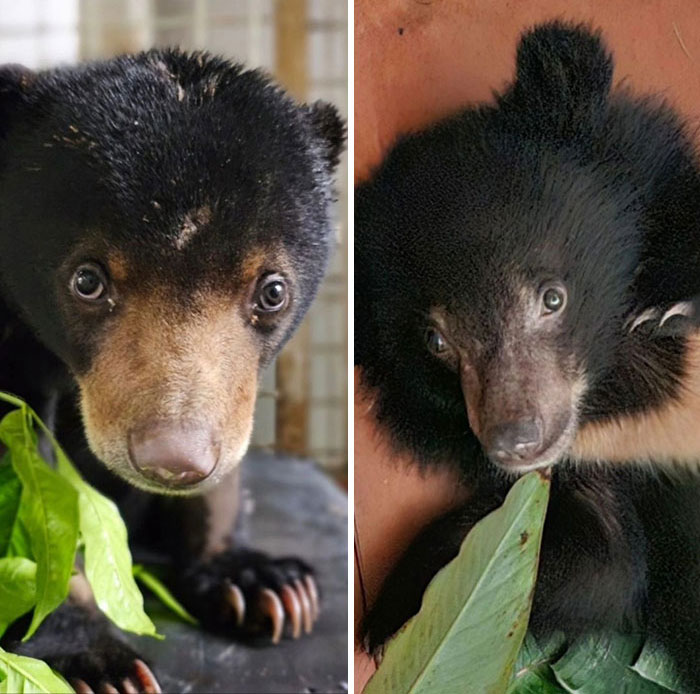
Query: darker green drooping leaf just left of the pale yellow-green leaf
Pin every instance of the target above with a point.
(50, 515)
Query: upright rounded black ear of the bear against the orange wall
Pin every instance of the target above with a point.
(563, 65)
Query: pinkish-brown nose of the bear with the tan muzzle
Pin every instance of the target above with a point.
(172, 454)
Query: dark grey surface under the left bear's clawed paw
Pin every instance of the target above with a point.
(290, 508)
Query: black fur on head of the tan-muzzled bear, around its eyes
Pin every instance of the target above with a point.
(95, 146)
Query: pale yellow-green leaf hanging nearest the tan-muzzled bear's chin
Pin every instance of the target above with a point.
(107, 558)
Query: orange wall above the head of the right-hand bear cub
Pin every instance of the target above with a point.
(455, 52)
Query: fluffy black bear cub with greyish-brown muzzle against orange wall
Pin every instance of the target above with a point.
(527, 280)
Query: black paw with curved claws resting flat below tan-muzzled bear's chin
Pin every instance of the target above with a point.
(250, 594)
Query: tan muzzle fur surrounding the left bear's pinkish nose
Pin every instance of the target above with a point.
(160, 362)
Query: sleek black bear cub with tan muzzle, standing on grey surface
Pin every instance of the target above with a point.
(164, 225)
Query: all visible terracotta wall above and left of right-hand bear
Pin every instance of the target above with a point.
(417, 60)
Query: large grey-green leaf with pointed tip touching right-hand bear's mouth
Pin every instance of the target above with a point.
(474, 615)
